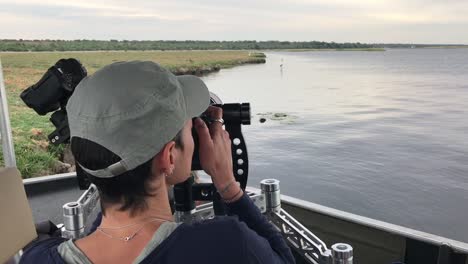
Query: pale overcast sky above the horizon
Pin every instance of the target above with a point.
(370, 21)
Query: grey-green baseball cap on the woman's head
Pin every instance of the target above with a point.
(133, 109)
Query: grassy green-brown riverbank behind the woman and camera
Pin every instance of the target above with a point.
(35, 156)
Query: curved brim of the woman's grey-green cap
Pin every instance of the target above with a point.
(197, 96)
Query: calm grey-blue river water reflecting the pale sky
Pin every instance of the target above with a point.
(379, 134)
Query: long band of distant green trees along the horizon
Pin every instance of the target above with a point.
(89, 45)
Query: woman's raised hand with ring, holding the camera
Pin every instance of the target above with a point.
(215, 149)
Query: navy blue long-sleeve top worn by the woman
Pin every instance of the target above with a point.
(245, 236)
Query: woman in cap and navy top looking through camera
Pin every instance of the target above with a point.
(130, 126)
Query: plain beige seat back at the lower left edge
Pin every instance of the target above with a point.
(16, 222)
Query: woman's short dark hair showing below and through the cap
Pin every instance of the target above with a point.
(129, 189)
